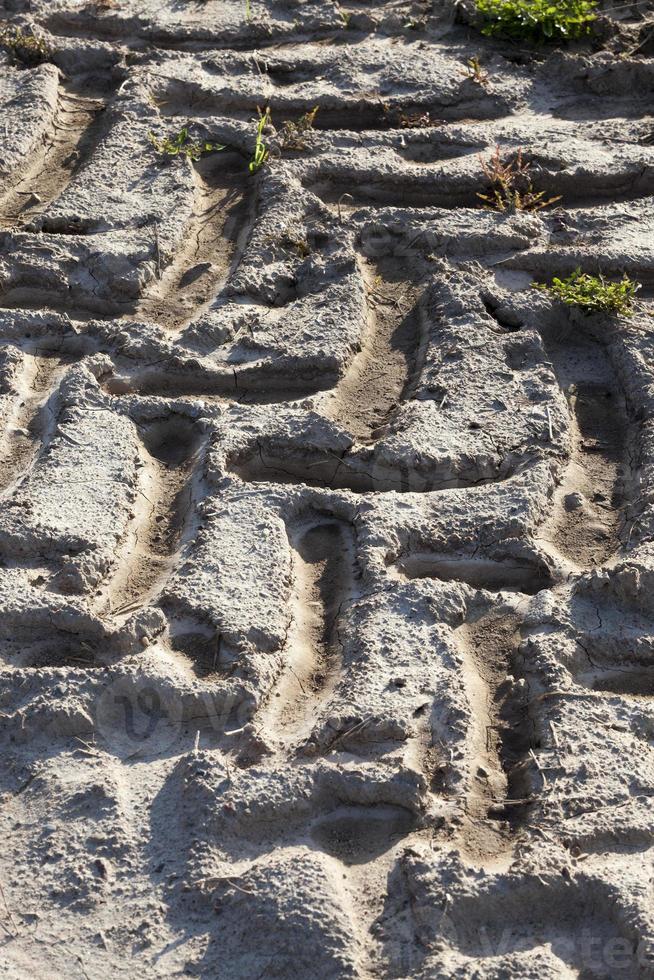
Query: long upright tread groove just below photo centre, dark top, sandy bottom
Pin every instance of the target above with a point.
(323, 574)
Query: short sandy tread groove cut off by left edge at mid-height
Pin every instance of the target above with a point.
(33, 417)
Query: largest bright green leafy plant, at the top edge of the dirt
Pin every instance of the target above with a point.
(537, 20)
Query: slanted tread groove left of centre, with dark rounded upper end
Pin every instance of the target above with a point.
(162, 511)
